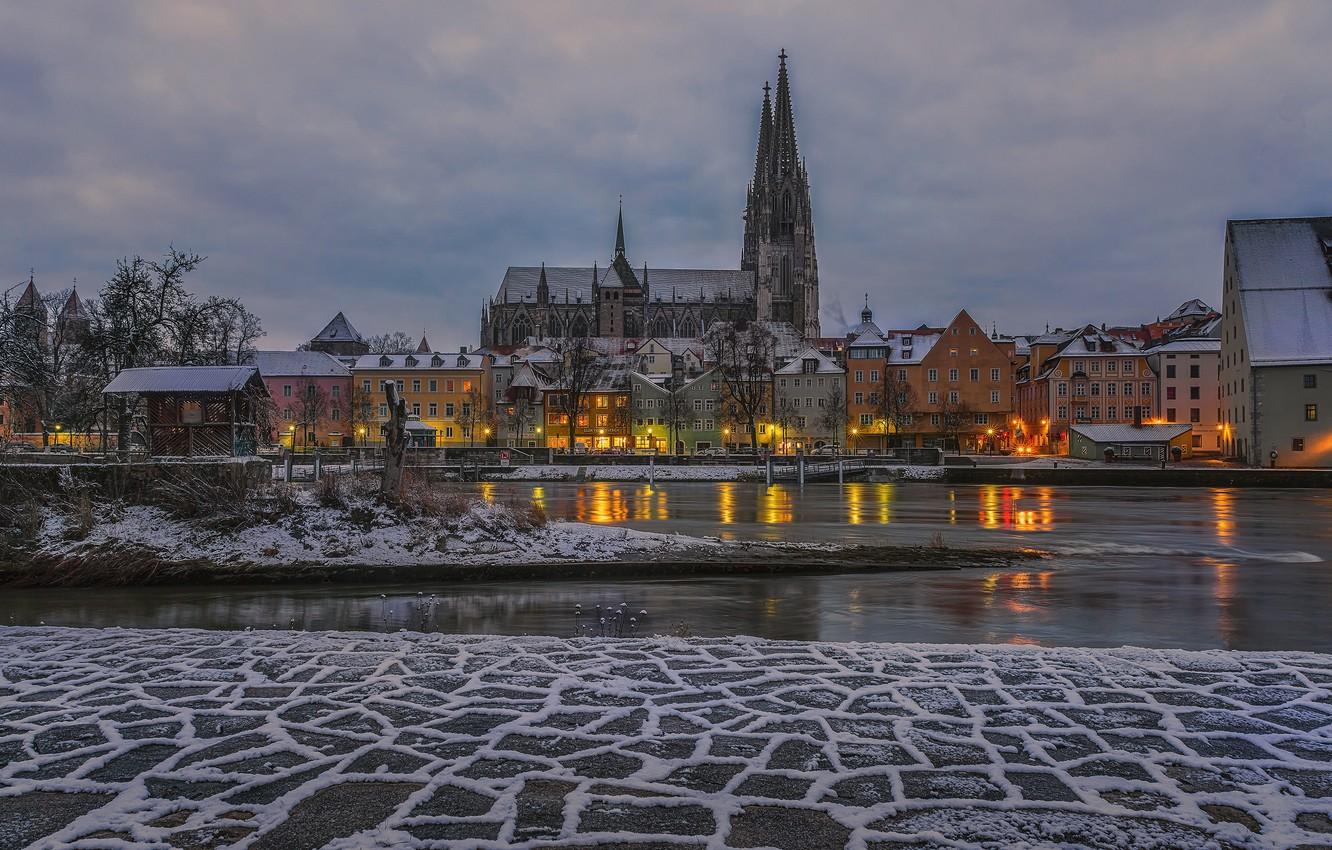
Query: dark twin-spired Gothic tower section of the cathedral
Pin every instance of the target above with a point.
(780, 220)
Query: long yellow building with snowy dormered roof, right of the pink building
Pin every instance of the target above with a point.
(447, 392)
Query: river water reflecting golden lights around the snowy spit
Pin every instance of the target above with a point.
(1145, 567)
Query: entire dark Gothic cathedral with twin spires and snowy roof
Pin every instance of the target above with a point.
(779, 279)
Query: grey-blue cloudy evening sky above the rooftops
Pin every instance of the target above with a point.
(1034, 163)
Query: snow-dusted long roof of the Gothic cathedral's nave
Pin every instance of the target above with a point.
(520, 284)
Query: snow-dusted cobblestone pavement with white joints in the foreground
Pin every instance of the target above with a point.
(294, 741)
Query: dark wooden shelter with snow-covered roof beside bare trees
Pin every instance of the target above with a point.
(196, 411)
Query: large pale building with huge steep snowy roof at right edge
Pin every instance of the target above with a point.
(1277, 343)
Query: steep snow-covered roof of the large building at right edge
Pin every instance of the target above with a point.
(1286, 288)
